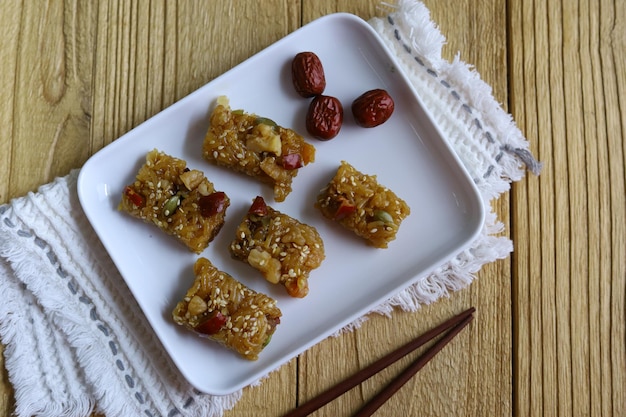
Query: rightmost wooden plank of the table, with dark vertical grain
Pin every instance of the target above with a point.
(569, 228)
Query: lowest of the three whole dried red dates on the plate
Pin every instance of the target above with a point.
(324, 117)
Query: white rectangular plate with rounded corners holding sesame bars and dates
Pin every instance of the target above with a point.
(407, 153)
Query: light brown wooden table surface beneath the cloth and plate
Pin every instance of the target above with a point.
(549, 336)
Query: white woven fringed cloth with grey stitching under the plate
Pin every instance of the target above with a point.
(75, 340)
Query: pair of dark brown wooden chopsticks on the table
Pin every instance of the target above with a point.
(455, 324)
